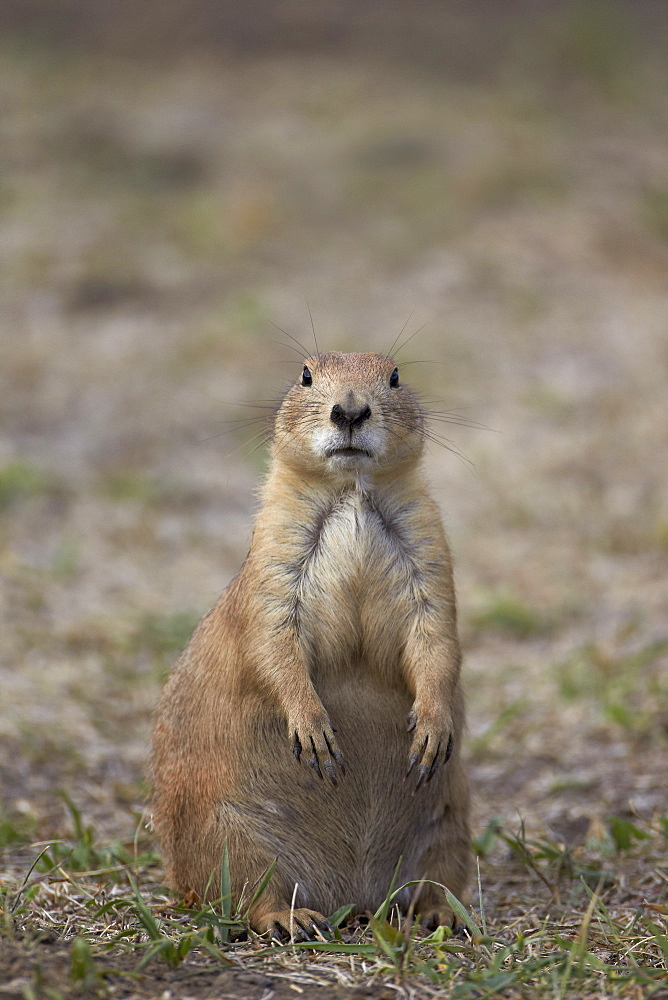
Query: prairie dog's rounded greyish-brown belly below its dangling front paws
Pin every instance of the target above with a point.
(340, 842)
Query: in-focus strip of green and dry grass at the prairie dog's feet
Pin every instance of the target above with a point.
(559, 921)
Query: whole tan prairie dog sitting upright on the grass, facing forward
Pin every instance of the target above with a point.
(316, 715)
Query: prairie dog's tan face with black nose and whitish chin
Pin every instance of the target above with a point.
(349, 415)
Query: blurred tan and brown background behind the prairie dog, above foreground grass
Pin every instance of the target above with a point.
(176, 178)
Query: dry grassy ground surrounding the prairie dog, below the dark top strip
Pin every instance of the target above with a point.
(157, 217)
